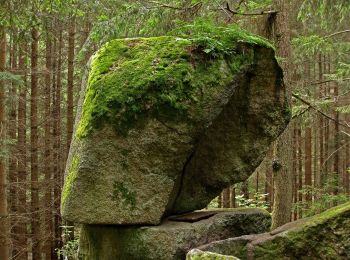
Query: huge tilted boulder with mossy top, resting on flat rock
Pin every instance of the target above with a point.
(164, 124)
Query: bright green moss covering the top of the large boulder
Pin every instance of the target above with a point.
(133, 79)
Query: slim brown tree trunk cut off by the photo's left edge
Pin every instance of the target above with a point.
(3, 198)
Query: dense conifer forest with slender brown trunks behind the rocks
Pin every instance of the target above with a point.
(44, 48)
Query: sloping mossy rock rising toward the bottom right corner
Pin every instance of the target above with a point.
(323, 236)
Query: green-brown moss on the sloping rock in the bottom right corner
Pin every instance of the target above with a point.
(324, 236)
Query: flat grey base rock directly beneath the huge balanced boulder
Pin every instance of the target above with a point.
(171, 239)
